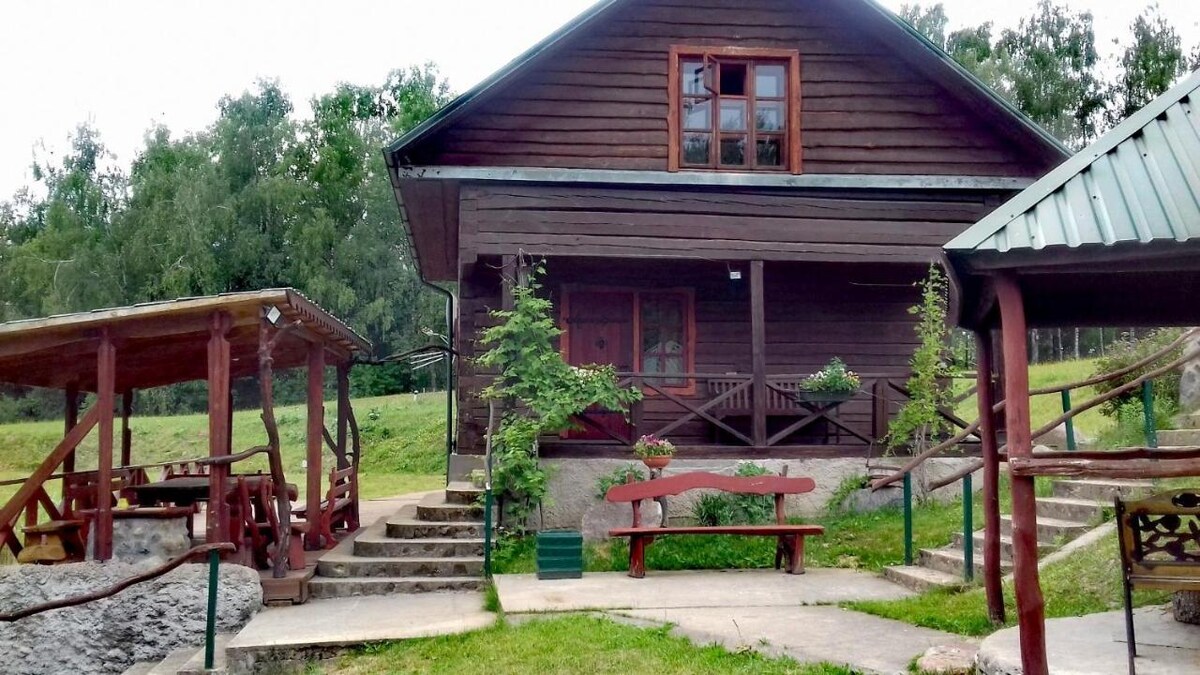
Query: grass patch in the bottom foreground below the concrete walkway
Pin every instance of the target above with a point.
(571, 644)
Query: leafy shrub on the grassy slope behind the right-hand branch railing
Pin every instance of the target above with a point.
(1129, 351)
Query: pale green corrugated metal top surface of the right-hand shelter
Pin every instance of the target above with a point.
(1139, 183)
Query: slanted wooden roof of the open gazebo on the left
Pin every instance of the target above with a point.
(167, 343)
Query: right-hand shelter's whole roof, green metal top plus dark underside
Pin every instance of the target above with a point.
(1109, 238)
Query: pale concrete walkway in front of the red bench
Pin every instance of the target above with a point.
(772, 613)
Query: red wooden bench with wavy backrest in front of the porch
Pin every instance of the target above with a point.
(790, 545)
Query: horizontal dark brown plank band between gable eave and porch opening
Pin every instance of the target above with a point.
(849, 226)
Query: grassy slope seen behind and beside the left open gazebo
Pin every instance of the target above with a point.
(404, 443)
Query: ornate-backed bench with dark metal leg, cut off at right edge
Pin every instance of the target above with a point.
(1160, 548)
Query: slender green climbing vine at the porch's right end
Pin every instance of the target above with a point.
(920, 421)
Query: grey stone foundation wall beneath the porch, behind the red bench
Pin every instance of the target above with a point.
(573, 483)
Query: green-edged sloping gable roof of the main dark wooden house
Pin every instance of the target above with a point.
(935, 56)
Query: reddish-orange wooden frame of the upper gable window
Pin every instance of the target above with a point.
(713, 57)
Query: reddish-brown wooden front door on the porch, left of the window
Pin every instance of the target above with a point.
(601, 331)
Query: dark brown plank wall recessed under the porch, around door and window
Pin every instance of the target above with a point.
(814, 312)
